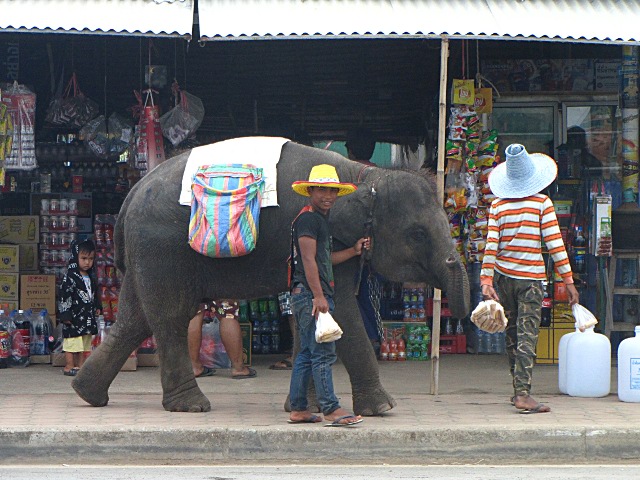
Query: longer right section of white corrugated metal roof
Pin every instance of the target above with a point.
(573, 20)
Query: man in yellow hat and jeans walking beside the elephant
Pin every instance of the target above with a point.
(312, 293)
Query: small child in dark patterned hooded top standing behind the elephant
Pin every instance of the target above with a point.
(78, 305)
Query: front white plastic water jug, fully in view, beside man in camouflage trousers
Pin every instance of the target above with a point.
(588, 364)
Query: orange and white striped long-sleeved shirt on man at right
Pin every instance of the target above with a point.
(517, 228)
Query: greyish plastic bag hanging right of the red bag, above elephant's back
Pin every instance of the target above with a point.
(183, 120)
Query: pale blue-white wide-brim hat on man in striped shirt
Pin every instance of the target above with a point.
(523, 174)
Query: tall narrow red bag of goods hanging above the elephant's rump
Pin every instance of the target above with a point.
(149, 143)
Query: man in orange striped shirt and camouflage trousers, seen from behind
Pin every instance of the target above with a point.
(513, 267)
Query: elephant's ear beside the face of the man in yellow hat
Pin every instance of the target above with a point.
(348, 217)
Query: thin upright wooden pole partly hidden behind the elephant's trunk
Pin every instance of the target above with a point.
(437, 294)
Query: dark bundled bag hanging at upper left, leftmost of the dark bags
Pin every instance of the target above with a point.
(71, 109)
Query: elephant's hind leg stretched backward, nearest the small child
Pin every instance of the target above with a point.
(96, 375)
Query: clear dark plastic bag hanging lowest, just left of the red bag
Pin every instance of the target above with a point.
(107, 138)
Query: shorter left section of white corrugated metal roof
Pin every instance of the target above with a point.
(124, 17)
